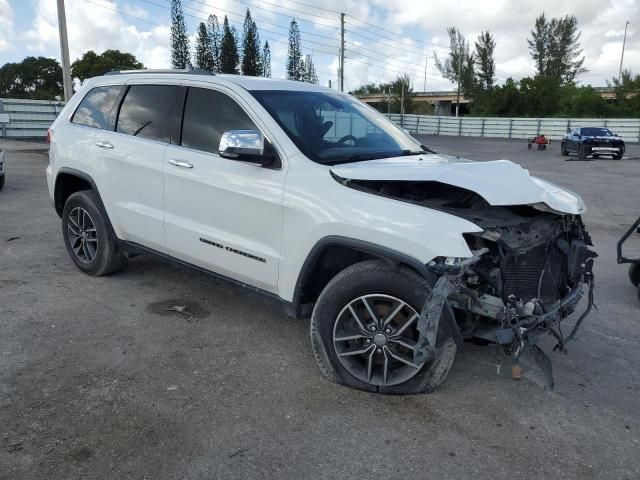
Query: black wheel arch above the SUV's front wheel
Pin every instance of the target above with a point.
(332, 254)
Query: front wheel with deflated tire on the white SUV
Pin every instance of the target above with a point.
(363, 331)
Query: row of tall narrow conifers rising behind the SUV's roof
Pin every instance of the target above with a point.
(219, 49)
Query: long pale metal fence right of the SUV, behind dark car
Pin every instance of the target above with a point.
(496, 127)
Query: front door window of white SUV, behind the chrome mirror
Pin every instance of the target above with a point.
(207, 115)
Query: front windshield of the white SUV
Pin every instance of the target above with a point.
(332, 128)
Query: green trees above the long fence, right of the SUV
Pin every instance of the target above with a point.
(554, 47)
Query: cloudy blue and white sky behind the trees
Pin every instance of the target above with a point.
(384, 37)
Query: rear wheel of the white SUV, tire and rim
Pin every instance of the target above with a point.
(89, 241)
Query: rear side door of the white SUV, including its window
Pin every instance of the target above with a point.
(130, 162)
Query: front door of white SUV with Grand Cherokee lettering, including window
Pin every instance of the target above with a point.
(220, 214)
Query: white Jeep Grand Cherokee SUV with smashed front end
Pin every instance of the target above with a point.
(308, 195)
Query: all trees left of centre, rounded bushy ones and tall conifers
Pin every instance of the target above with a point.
(217, 48)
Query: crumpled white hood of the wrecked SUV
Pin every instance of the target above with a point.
(499, 182)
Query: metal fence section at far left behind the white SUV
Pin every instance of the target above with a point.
(27, 118)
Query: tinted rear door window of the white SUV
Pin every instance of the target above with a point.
(147, 112)
